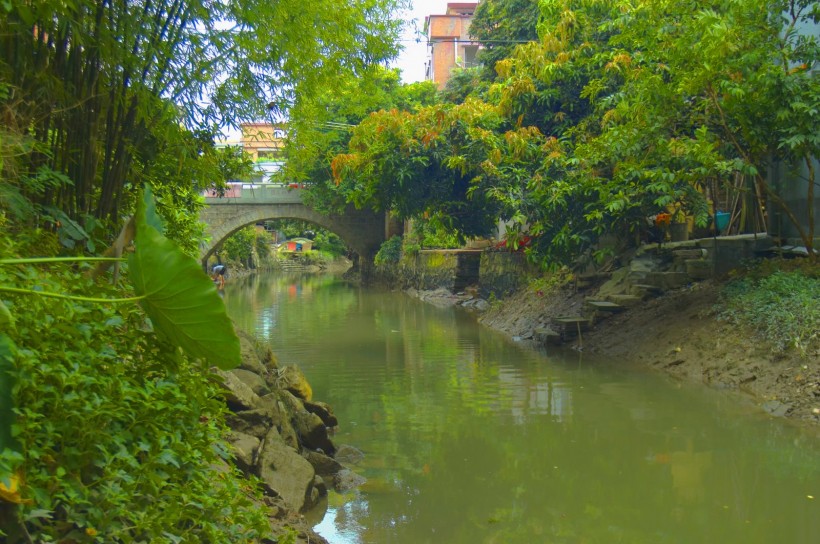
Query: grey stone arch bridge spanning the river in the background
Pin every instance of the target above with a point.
(362, 230)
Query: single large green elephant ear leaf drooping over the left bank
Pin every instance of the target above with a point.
(180, 299)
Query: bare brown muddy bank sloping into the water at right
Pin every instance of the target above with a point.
(679, 333)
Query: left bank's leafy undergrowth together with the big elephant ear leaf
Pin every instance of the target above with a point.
(110, 431)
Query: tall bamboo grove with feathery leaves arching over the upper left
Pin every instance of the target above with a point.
(99, 97)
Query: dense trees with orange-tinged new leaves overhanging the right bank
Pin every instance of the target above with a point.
(607, 118)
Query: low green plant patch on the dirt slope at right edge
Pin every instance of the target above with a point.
(780, 305)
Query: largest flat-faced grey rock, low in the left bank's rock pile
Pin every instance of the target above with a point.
(285, 473)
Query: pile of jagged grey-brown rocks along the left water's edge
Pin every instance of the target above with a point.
(280, 435)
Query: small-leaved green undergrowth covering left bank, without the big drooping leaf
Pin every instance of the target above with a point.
(119, 432)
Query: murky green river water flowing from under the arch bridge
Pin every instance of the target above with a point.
(469, 438)
